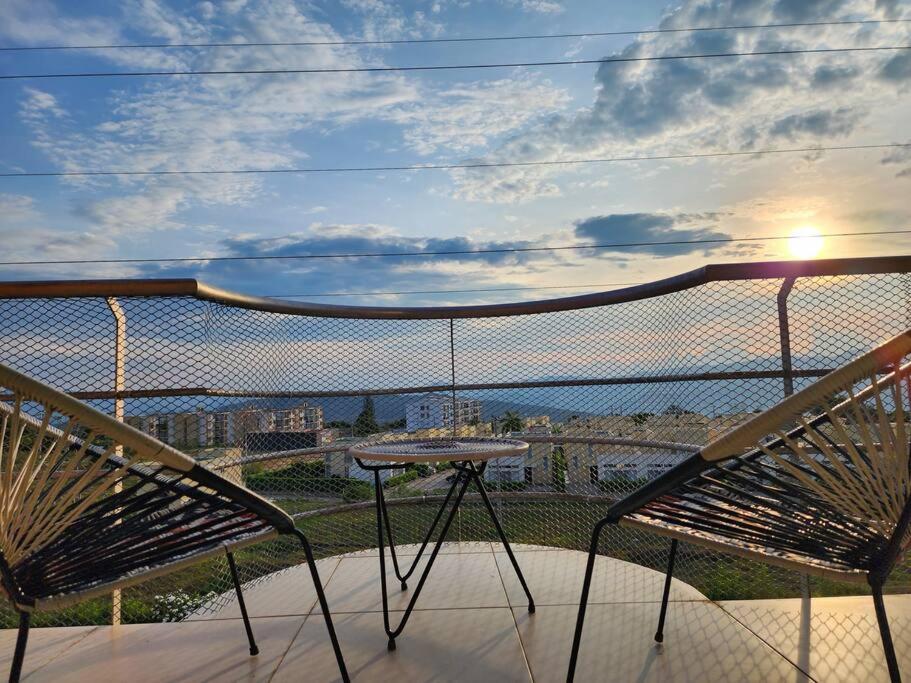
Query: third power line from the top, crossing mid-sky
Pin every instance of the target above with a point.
(430, 167)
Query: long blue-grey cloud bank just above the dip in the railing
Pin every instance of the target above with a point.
(359, 274)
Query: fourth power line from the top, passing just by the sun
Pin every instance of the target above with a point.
(452, 252)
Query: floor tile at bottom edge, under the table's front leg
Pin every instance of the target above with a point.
(466, 645)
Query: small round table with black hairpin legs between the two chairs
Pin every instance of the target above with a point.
(464, 453)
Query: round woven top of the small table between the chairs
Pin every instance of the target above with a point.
(439, 449)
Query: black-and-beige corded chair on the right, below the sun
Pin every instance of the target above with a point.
(819, 483)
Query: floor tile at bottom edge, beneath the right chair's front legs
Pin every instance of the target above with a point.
(701, 644)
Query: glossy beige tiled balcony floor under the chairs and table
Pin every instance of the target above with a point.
(471, 624)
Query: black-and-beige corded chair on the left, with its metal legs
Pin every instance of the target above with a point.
(89, 505)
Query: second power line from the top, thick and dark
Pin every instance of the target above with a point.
(450, 67)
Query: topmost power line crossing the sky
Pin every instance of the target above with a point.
(475, 39)
